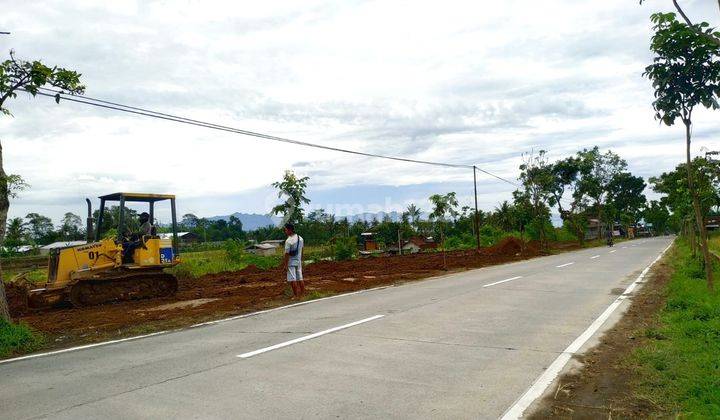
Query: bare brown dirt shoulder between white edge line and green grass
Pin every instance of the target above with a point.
(602, 386)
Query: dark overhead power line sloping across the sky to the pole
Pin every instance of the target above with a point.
(170, 117)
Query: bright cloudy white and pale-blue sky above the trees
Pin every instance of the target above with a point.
(464, 82)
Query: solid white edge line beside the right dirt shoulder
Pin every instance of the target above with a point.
(547, 377)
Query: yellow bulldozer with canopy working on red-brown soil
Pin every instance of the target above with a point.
(111, 268)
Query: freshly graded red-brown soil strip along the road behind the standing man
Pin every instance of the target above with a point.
(252, 289)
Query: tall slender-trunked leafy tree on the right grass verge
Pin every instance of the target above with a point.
(685, 73)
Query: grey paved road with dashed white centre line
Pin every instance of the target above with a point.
(460, 346)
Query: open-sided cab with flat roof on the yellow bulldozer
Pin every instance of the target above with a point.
(123, 223)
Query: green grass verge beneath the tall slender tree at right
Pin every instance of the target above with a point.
(678, 368)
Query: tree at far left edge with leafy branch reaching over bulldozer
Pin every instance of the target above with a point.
(29, 76)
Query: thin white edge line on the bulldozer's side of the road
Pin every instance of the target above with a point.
(217, 321)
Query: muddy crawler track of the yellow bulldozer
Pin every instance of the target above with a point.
(122, 288)
